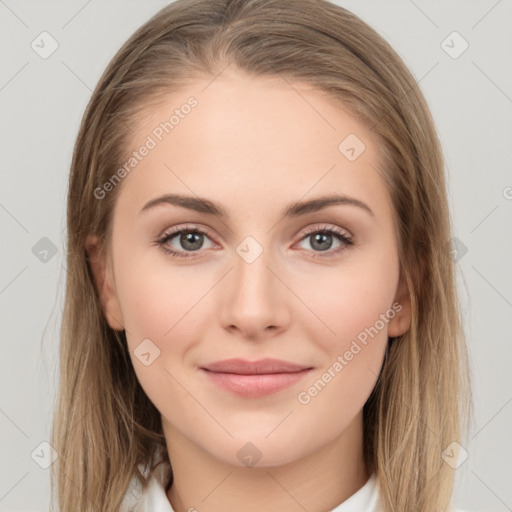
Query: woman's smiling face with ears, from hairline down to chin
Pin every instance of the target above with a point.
(317, 287)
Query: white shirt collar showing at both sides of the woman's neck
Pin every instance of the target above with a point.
(154, 498)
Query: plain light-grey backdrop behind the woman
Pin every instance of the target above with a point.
(42, 102)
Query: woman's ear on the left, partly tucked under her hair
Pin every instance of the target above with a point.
(104, 282)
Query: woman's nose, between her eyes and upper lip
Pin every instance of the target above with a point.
(254, 299)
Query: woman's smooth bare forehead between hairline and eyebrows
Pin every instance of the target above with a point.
(254, 140)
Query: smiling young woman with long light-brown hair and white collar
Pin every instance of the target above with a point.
(261, 311)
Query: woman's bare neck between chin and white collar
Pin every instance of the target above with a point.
(317, 482)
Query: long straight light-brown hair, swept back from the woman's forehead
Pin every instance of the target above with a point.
(104, 425)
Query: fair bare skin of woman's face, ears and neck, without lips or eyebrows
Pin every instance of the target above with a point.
(254, 145)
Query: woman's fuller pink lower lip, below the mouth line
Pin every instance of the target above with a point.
(254, 386)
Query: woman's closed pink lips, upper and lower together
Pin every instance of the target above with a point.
(253, 379)
